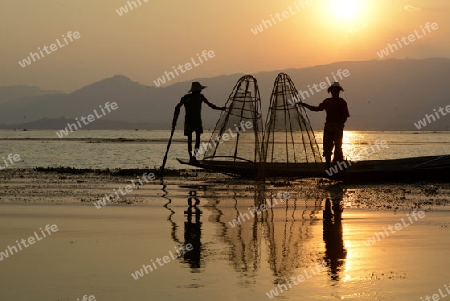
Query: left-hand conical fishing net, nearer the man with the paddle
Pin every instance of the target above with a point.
(237, 135)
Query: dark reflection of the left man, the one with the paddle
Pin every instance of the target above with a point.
(192, 233)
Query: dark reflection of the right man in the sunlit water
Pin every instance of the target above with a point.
(335, 252)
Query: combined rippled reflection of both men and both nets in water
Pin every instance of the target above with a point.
(269, 232)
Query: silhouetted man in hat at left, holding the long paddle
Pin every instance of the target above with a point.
(193, 119)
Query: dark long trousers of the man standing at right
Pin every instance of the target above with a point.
(332, 138)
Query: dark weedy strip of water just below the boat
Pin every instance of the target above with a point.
(86, 186)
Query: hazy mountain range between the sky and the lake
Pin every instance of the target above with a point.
(382, 95)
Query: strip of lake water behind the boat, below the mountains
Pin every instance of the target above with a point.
(147, 148)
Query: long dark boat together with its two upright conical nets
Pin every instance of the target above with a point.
(286, 146)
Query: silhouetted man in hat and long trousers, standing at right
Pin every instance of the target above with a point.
(337, 114)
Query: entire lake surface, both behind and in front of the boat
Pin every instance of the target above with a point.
(303, 248)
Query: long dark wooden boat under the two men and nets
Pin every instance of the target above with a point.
(429, 168)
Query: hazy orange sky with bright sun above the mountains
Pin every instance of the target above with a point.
(148, 40)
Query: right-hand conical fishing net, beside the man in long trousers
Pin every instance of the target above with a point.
(288, 136)
